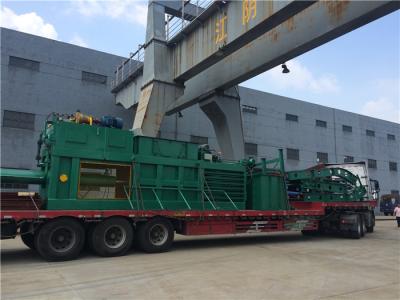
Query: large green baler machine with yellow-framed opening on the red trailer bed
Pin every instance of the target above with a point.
(94, 167)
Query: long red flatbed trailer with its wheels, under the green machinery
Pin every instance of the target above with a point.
(349, 218)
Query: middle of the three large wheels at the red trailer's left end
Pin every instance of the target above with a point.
(112, 237)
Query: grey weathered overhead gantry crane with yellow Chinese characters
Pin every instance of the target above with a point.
(198, 51)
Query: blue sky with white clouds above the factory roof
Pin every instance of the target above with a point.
(357, 72)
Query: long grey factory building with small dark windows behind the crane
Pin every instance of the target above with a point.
(40, 76)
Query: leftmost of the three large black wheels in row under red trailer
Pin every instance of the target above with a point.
(60, 239)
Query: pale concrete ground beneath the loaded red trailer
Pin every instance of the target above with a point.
(268, 266)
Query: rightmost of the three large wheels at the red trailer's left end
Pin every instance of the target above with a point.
(155, 235)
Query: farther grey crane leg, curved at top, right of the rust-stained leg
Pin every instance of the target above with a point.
(224, 112)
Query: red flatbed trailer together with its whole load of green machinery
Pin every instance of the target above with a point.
(108, 188)
